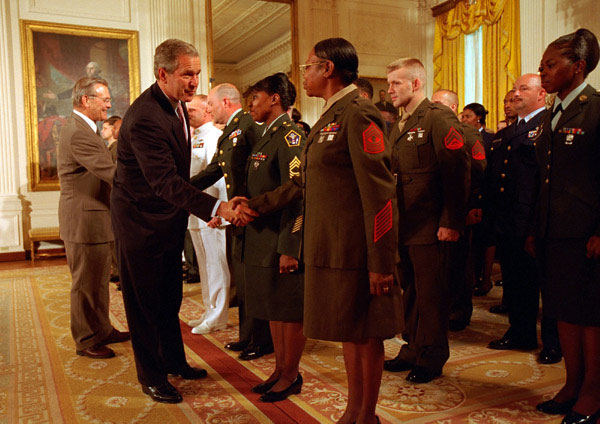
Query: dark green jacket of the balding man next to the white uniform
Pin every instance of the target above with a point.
(233, 149)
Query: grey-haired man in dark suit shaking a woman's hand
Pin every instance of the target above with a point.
(150, 203)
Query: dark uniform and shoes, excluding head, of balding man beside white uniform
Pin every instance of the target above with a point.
(230, 160)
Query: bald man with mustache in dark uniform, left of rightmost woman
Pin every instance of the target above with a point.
(512, 182)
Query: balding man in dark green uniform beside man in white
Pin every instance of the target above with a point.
(233, 148)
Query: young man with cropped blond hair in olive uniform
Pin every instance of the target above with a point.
(432, 170)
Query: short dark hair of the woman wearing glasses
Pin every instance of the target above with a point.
(343, 55)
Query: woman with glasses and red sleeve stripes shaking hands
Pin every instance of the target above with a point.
(350, 225)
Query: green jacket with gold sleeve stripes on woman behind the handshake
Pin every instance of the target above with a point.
(274, 160)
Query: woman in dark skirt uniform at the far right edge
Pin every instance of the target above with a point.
(568, 220)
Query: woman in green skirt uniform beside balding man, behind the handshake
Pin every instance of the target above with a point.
(272, 242)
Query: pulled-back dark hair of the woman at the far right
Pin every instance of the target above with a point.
(579, 45)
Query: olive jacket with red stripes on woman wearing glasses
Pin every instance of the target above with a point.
(349, 195)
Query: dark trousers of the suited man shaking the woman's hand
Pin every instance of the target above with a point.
(152, 292)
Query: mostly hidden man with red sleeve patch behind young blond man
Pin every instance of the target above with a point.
(462, 254)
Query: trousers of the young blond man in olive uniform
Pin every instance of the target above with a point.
(424, 277)
